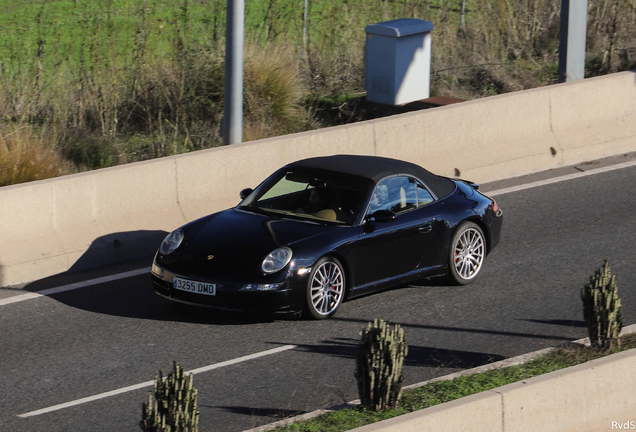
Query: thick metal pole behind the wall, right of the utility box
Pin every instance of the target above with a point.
(572, 40)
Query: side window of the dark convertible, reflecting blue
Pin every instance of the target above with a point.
(397, 194)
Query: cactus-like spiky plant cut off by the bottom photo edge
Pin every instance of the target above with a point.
(174, 408)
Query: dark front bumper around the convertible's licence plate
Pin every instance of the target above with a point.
(229, 296)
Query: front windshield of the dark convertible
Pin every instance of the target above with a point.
(310, 194)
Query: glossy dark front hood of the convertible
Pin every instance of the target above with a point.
(234, 243)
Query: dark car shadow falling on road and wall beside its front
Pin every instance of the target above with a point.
(131, 296)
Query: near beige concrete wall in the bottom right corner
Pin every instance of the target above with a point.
(587, 397)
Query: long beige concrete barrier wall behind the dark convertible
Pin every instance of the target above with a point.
(120, 213)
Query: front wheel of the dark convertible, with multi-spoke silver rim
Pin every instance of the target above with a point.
(325, 288)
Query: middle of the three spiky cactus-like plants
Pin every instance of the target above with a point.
(379, 361)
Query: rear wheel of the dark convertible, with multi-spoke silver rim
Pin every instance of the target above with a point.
(467, 254)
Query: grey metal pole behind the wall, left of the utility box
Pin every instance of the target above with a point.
(232, 123)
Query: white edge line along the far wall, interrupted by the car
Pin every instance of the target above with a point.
(111, 278)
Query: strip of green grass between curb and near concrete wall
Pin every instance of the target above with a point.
(439, 392)
